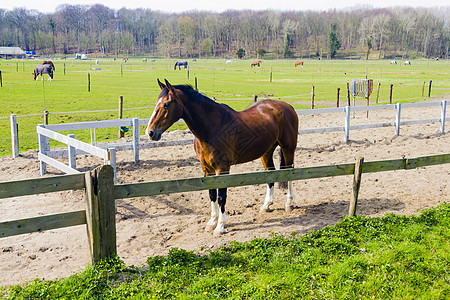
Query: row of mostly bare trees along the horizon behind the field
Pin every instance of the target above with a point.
(359, 32)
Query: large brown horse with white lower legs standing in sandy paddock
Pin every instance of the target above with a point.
(225, 137)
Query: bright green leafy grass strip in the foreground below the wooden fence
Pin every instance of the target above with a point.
(392, 257)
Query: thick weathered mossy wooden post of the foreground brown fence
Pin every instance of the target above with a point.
(100, 213)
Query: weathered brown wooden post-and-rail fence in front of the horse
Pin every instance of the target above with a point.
(101, 194)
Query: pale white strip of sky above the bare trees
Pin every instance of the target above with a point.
(177, 6)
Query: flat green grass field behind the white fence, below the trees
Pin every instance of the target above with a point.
(67, 98)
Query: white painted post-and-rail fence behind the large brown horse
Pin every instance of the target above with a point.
(108, 152)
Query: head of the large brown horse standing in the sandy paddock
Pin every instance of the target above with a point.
(168, 110)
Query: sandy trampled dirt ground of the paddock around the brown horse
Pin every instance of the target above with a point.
(149, 226)
